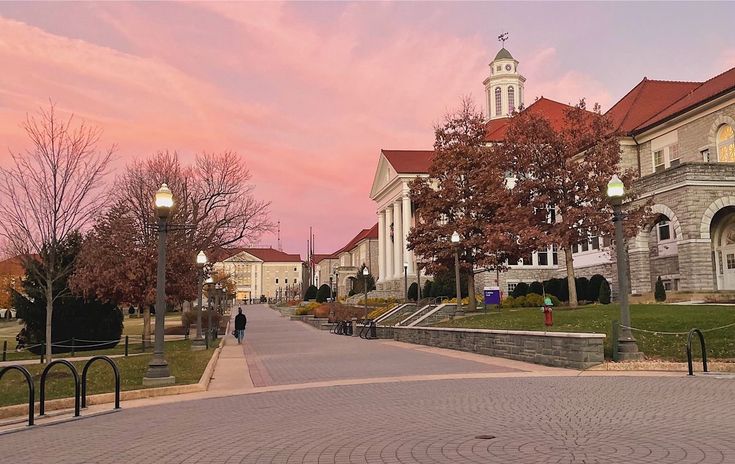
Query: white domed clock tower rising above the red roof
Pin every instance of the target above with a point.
(504, 86)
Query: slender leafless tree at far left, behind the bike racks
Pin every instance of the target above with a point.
(51, 190)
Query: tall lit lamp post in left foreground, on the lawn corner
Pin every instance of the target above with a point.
(158, 371)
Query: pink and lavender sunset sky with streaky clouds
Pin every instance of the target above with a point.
(308, 93)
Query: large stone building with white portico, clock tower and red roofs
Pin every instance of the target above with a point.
(678, 137)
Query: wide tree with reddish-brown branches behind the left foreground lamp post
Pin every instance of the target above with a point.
(213, 196)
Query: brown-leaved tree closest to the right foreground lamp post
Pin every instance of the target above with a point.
(565, 170)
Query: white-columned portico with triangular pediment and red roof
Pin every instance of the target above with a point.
(390, 191)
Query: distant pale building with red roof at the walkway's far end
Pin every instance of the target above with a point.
(260, 272)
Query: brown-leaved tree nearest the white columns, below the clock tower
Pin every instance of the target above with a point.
(465, 192)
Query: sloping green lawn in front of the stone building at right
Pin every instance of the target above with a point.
(598, 318)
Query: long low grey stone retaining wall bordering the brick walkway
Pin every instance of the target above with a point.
(572, 350)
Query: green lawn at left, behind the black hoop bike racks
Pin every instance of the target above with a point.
(186, 365)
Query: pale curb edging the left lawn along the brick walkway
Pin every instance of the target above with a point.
(7, 412)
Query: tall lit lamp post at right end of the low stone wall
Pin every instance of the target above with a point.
(627, 347)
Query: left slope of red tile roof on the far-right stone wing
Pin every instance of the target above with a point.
(646, 100)
